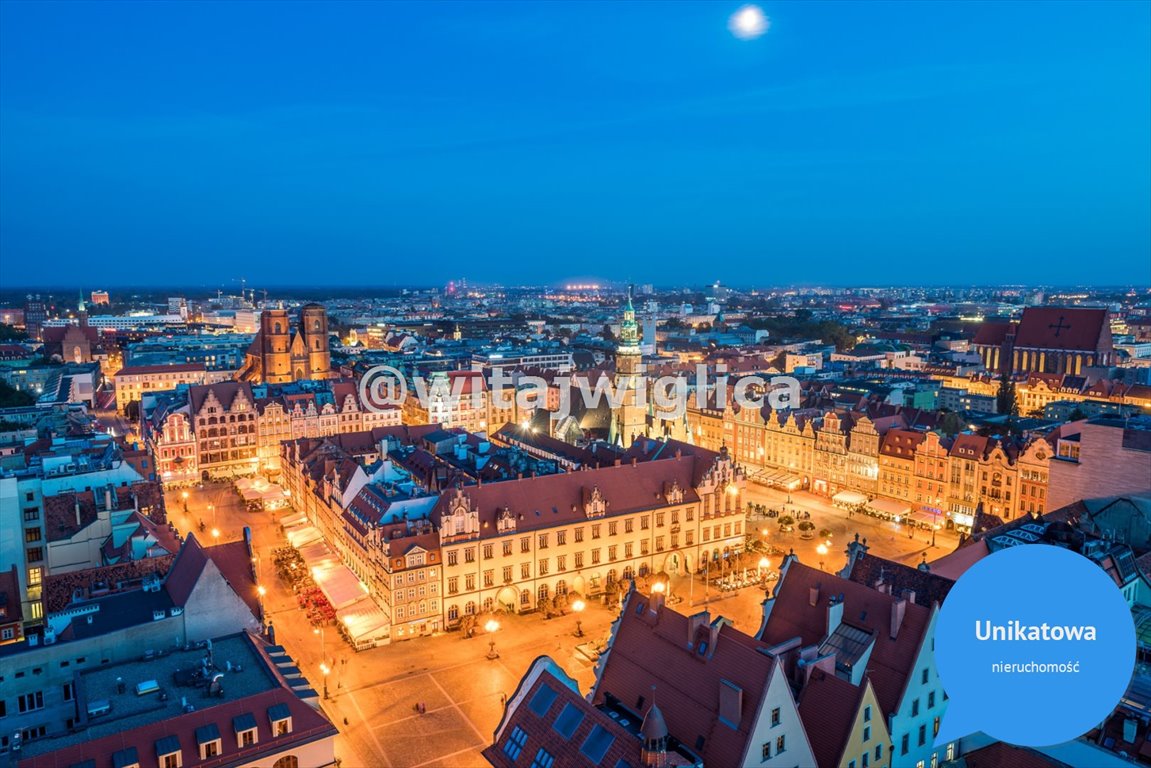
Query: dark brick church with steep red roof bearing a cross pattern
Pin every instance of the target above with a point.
(1048, 340)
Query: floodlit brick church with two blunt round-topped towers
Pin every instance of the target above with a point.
(284, 352)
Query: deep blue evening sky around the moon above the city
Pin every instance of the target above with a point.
(380, 143)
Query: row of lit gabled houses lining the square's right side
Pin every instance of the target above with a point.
(887, 453)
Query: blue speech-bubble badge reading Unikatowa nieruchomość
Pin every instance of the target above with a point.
(1035, 647)
